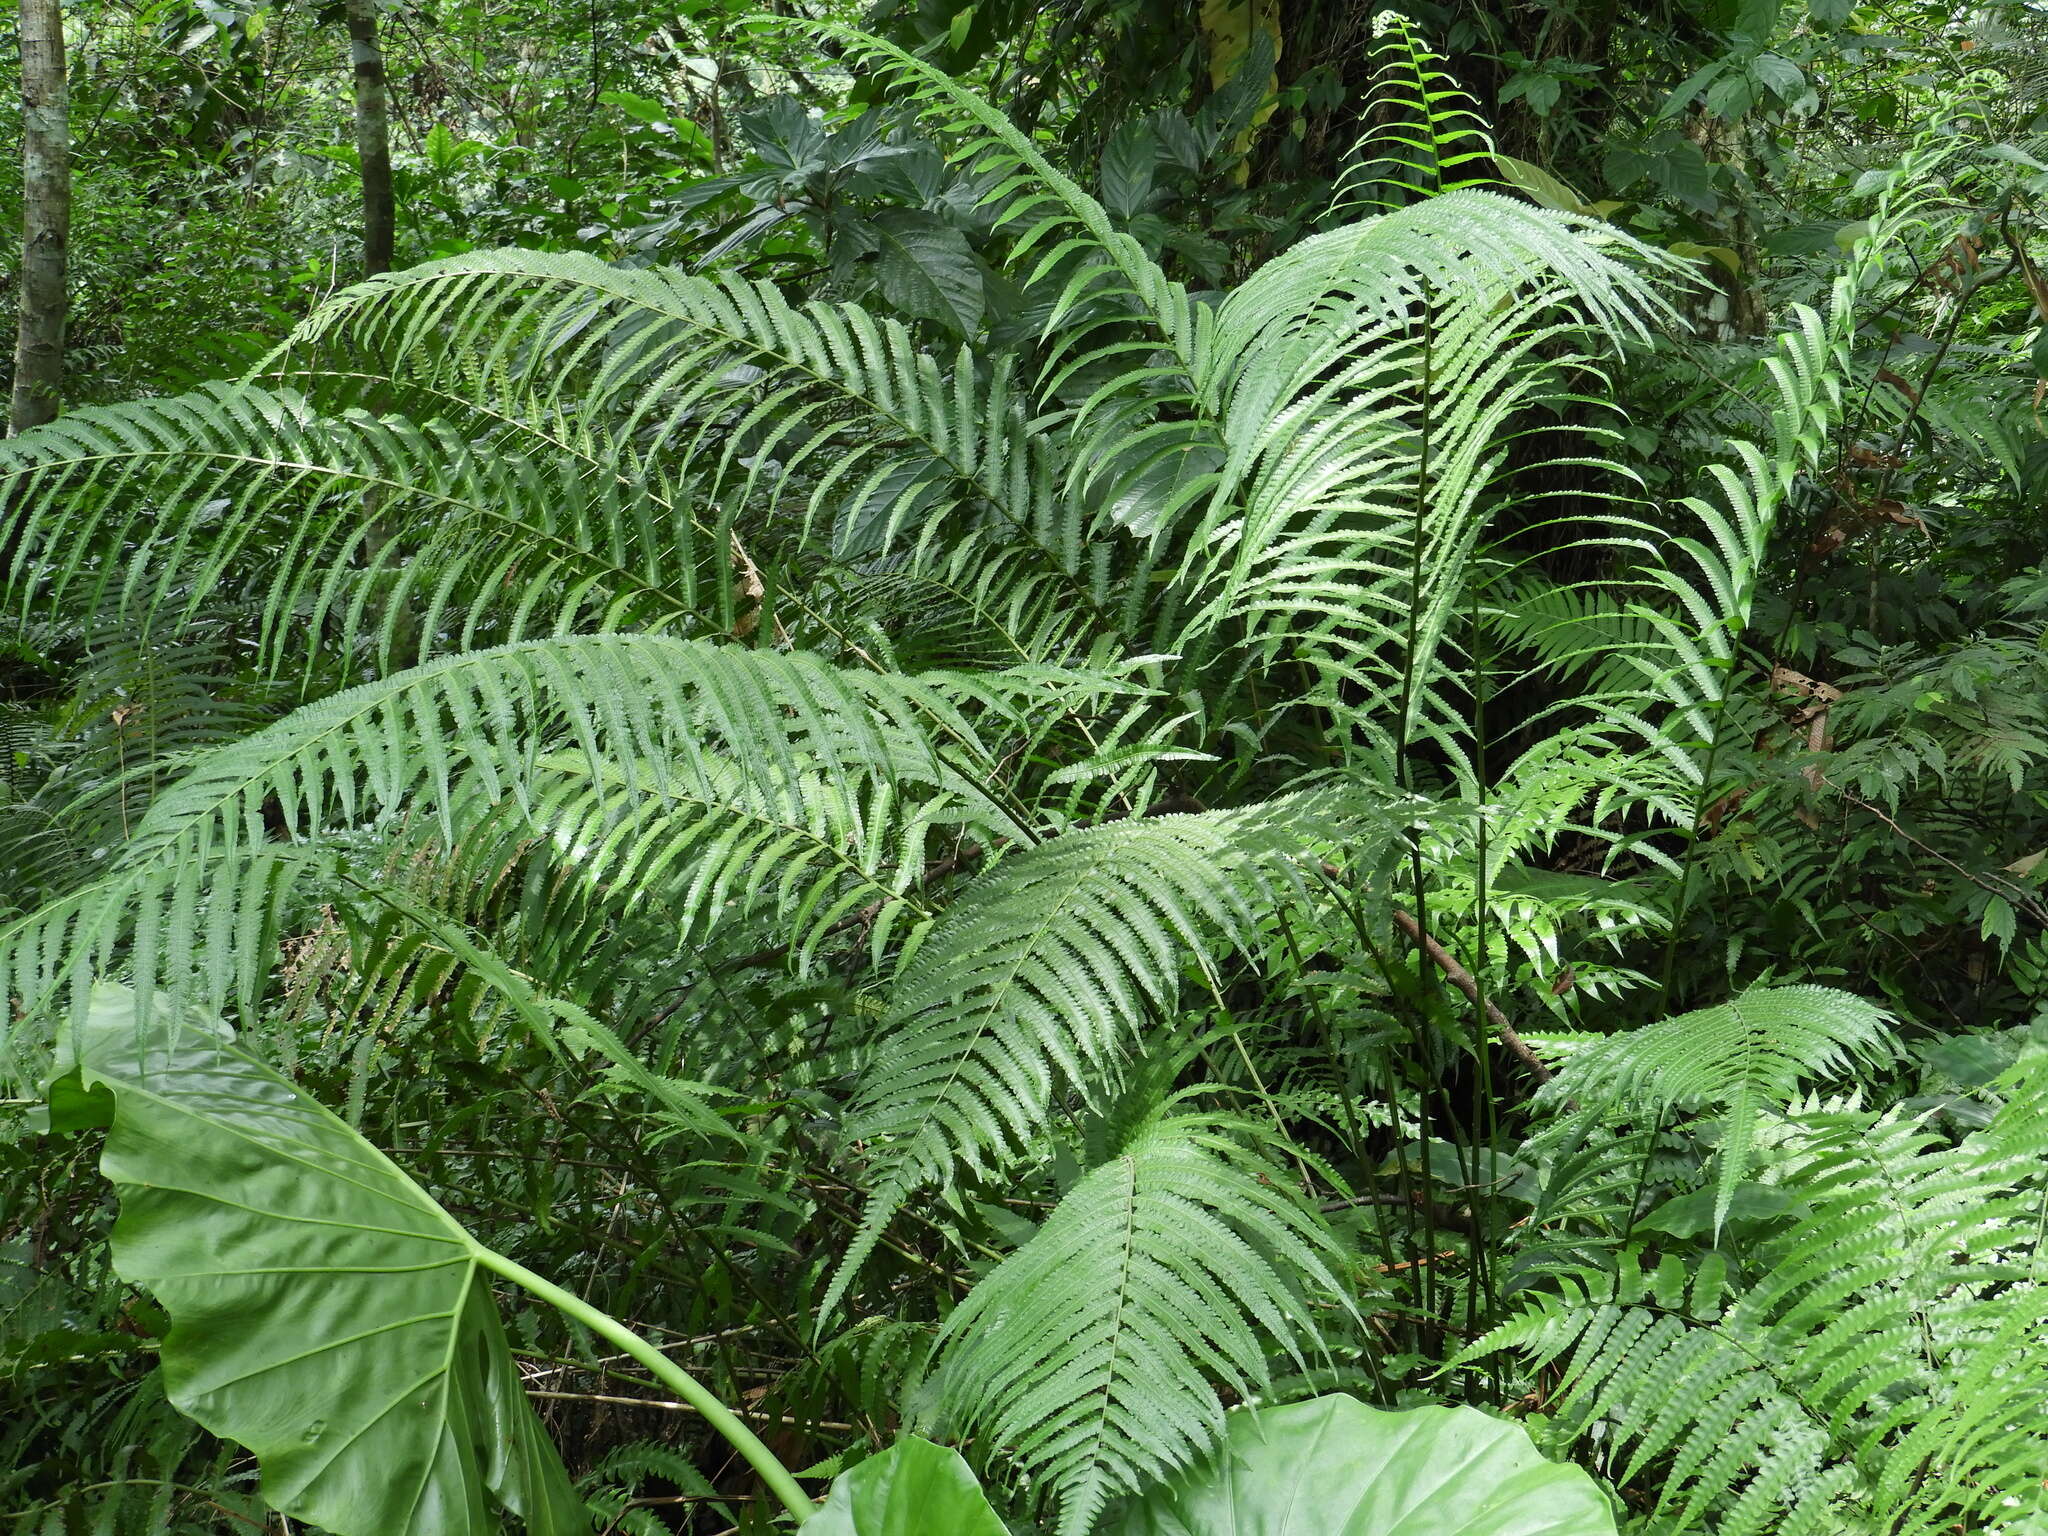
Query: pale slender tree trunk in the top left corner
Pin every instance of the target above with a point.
(46, 165)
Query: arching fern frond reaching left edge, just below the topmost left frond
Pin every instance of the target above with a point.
(366, 527)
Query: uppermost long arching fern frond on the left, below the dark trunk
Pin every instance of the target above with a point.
(740, 396)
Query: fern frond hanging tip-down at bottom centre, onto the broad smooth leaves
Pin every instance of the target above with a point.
(1089, 1357)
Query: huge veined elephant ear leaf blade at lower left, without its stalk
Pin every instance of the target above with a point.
(327, 1314)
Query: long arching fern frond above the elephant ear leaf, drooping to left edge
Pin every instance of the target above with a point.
(804, 755)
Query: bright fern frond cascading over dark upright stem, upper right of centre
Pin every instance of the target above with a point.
(1373, 380)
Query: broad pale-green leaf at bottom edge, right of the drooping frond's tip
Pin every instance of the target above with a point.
(1336, 1467)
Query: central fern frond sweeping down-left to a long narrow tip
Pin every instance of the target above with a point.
(1041, 978)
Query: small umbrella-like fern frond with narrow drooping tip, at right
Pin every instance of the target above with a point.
(1738, 1058)
